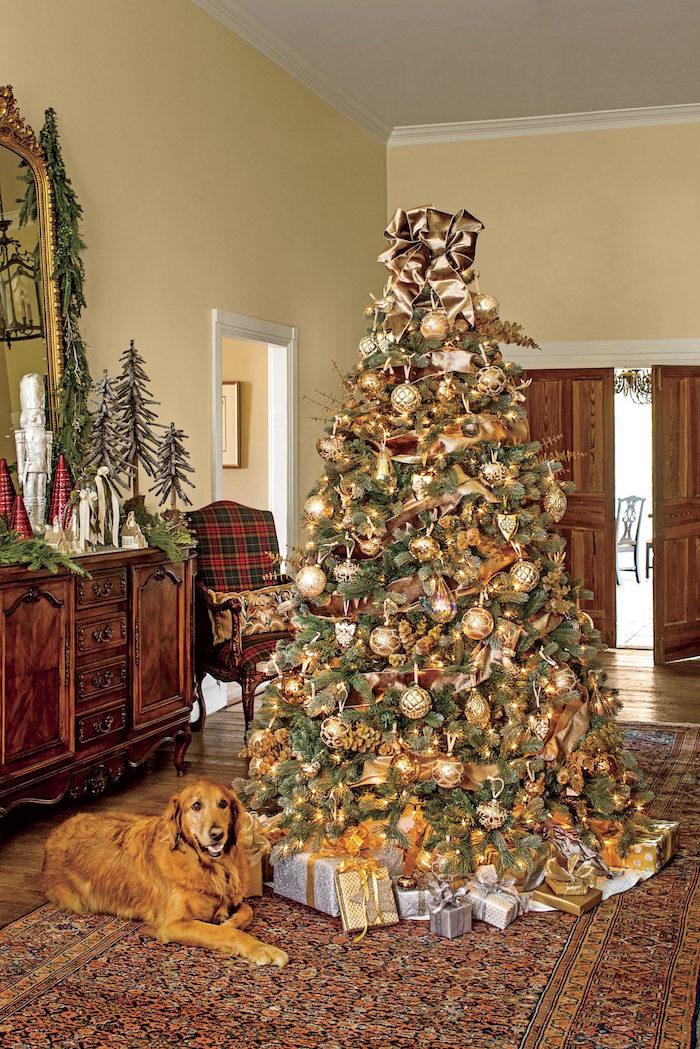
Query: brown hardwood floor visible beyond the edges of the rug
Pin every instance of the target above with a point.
(668, 694)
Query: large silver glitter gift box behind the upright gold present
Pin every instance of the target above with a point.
(310, 877)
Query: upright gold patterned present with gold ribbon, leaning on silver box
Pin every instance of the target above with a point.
(366, 895)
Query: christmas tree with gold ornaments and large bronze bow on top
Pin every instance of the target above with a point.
(442, 662)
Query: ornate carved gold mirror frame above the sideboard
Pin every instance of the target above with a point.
(19, 138)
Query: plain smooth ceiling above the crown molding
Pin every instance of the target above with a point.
(393, 63)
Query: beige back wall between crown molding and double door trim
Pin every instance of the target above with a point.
(588, 236)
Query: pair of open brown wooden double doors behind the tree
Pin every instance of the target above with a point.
(575, 406)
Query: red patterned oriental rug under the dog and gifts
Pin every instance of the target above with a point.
(623, 977)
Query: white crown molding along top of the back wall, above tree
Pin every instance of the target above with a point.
(426, 135)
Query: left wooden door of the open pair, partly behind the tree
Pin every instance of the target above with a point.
(576, 408)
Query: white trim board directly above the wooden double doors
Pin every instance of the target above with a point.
(607, 354)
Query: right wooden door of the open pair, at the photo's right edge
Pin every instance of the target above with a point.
(676, 443)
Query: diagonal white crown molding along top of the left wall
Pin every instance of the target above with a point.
(244, 25)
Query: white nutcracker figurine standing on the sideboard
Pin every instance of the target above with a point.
(34, 449)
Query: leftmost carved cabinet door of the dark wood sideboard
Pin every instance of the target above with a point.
(36, 644)
